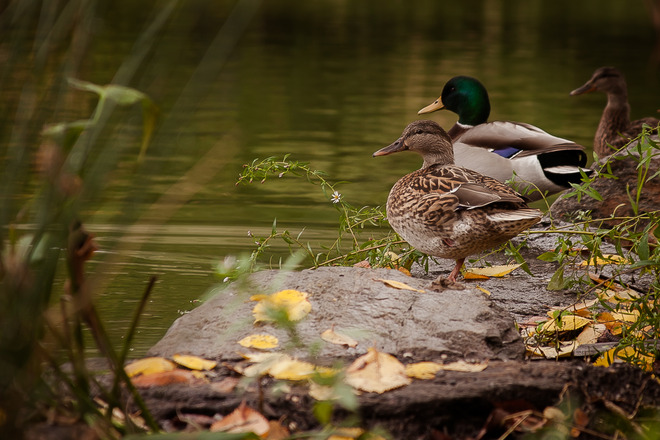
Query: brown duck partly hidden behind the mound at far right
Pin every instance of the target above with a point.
(615, 128)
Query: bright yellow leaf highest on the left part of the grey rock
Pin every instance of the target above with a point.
(292, 303)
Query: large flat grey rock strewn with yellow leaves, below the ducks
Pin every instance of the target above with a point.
(418, 326)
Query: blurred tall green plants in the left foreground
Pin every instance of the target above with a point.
(30, 262)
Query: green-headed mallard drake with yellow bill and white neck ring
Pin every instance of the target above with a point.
(501, 149)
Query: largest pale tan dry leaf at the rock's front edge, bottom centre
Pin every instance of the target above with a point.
(376, 372)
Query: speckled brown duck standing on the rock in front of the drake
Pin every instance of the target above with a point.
(449, 211)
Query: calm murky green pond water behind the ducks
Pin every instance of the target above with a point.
(329, 82)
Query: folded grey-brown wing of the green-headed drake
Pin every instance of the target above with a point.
(515, 139)
